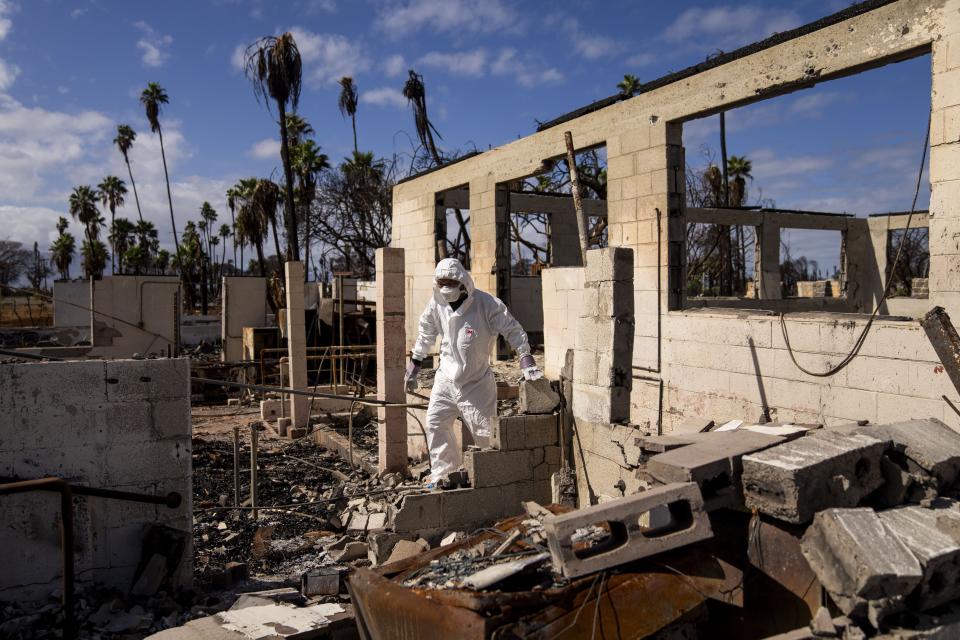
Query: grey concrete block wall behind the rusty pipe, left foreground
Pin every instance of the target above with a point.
(122, 424)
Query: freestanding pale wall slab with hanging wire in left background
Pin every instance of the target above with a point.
(135, 314)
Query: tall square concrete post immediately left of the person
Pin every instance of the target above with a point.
(391, 356)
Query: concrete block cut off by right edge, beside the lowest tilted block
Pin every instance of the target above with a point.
(927, 534)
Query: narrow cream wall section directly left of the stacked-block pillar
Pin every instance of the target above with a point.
(562, 296)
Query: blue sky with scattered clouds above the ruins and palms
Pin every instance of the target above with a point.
(70, 71)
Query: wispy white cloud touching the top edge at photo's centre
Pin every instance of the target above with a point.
(399, 18)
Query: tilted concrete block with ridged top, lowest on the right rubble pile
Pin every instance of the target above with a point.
(867, 570)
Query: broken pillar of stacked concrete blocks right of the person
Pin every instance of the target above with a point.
(602, 372)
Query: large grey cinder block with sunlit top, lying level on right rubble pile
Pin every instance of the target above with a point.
(799, 478)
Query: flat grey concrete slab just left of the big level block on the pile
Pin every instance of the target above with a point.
(713, 462)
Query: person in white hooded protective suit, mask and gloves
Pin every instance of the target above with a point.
(468, 322)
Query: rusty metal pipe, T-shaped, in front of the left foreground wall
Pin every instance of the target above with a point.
(67, 492)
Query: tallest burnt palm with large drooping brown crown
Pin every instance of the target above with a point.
(273, 65)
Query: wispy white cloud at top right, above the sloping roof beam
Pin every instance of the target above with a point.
(729, 26)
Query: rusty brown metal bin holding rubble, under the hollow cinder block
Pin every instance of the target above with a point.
(636, 600)
